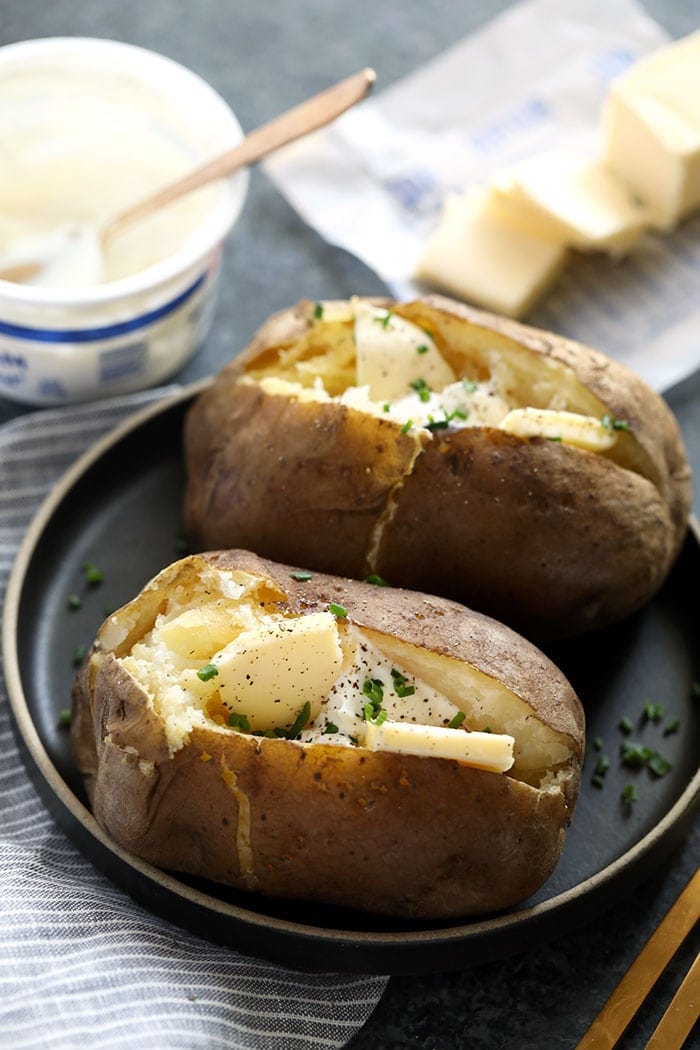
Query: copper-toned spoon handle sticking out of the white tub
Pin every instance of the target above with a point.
(308, 117)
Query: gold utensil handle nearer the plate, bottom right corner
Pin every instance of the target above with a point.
(644, 974)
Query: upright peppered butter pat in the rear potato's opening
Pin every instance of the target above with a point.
(393, 353)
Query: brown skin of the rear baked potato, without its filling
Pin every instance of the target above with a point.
(549, 539)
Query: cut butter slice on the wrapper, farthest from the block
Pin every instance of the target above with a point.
(476, 255)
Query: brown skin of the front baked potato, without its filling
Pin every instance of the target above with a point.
(379, 832)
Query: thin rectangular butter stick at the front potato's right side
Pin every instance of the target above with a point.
(485, 751)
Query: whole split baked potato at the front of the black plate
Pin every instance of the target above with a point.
(305, 737)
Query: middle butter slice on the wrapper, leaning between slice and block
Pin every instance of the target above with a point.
(574, 200)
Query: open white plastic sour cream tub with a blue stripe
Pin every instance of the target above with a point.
(89, 128)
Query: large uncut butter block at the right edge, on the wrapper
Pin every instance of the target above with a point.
(652, 131)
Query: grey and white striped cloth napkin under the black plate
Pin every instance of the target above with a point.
(81, 965)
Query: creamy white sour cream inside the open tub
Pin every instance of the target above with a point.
(78, 145)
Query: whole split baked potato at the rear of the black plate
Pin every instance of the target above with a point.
(444, 450)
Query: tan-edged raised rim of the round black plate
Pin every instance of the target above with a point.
(378, 943)
